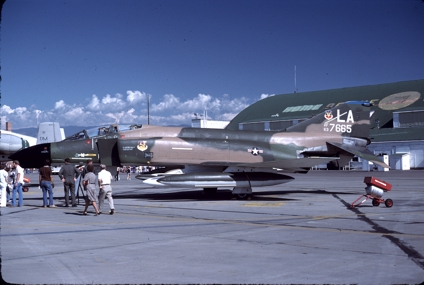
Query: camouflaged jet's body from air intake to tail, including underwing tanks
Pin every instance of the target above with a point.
(212, 158)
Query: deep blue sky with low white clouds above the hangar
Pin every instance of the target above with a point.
(86, 63)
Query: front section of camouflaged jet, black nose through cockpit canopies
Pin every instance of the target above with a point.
(78, 147)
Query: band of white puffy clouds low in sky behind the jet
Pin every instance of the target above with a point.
(168, 109)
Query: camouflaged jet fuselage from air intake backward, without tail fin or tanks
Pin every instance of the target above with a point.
(208, 147)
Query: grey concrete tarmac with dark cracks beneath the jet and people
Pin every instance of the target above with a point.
(300, 232)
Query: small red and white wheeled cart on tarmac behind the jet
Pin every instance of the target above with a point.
(375, 190)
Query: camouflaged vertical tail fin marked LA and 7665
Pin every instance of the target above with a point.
(350, 119)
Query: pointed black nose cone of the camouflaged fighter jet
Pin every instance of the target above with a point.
(34, 156)
